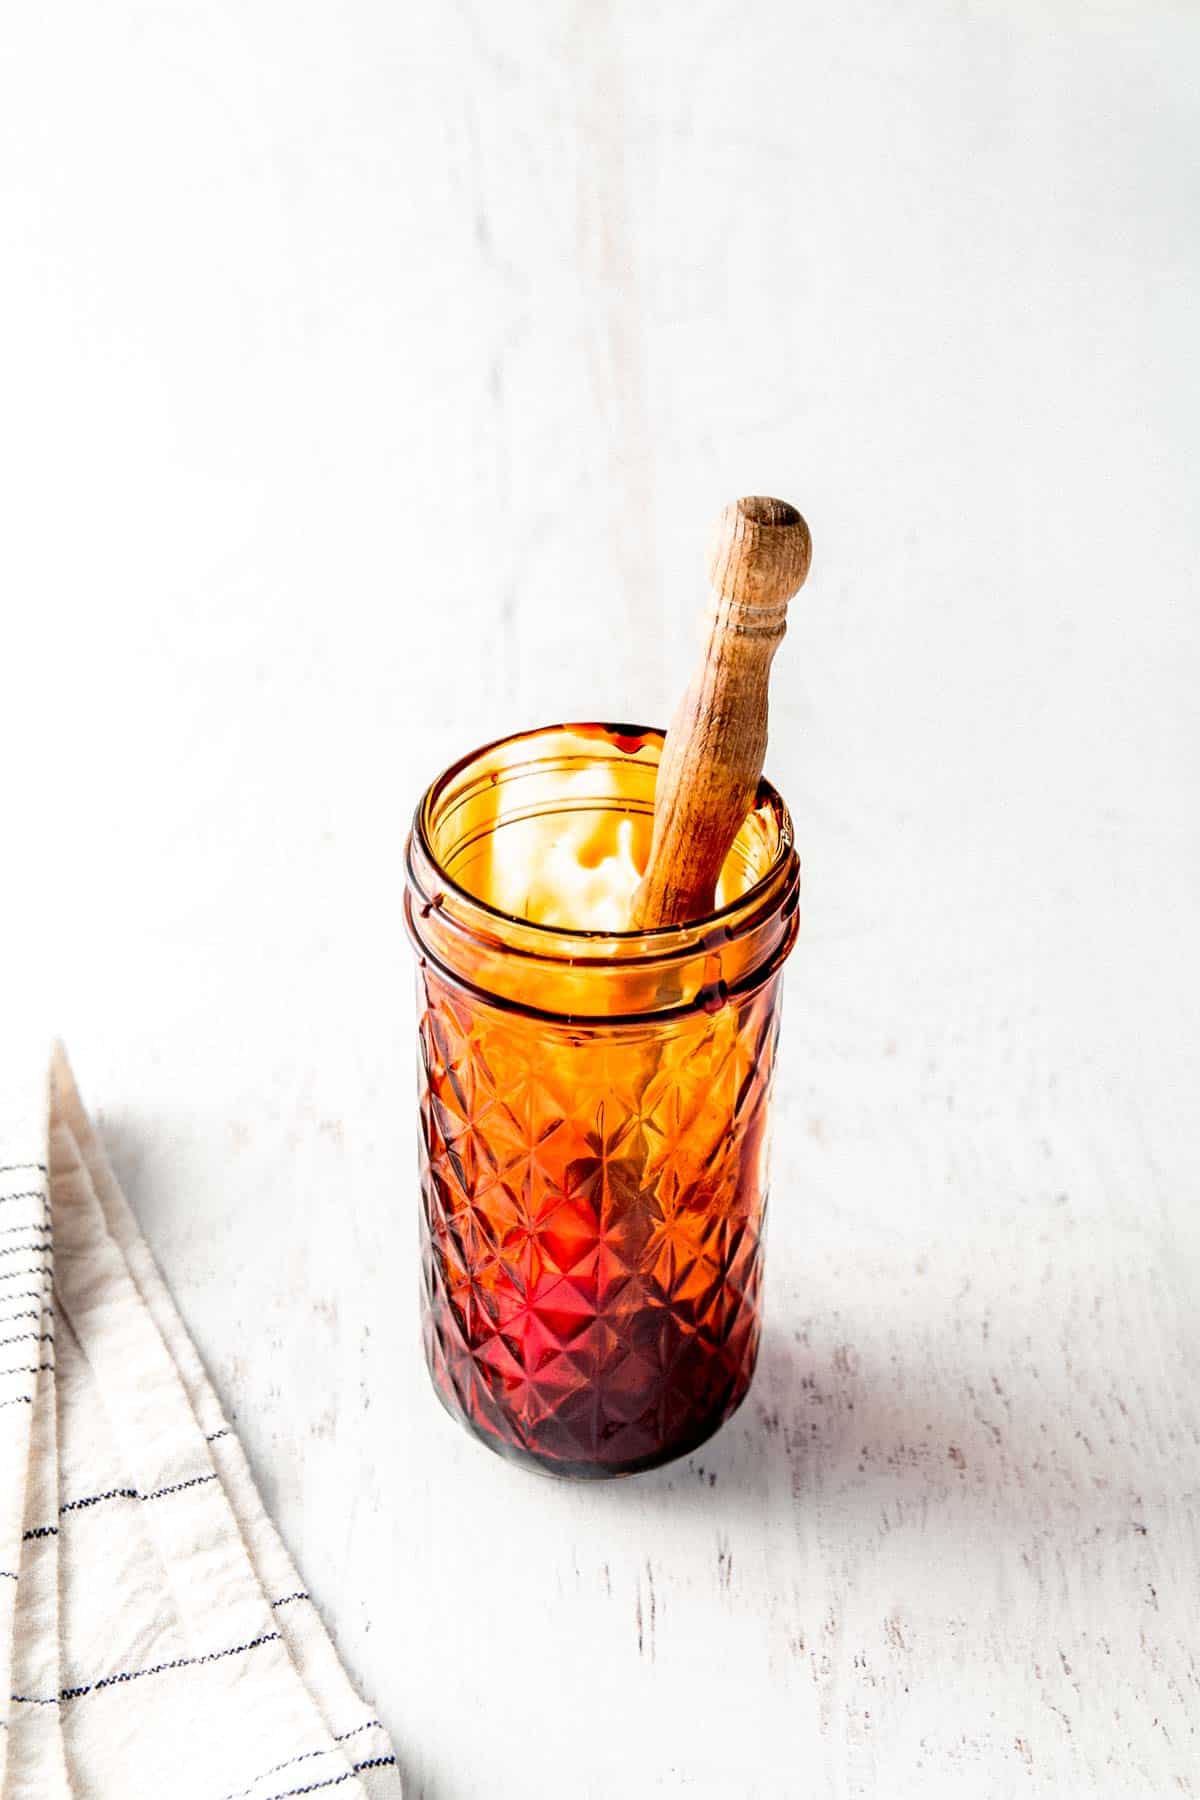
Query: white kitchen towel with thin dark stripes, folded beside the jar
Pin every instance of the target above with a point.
(156, 1639)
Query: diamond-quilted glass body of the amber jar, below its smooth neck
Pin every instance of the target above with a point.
(593, 1227)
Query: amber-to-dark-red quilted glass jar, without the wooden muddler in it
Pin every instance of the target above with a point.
(595, 1115)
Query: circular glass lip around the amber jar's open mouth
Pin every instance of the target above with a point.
(659, 940)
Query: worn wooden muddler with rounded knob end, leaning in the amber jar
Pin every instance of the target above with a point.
(715, 748)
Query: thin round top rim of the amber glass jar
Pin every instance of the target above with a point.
(658, 935)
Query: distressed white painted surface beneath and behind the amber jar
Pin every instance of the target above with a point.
(372, 373)
